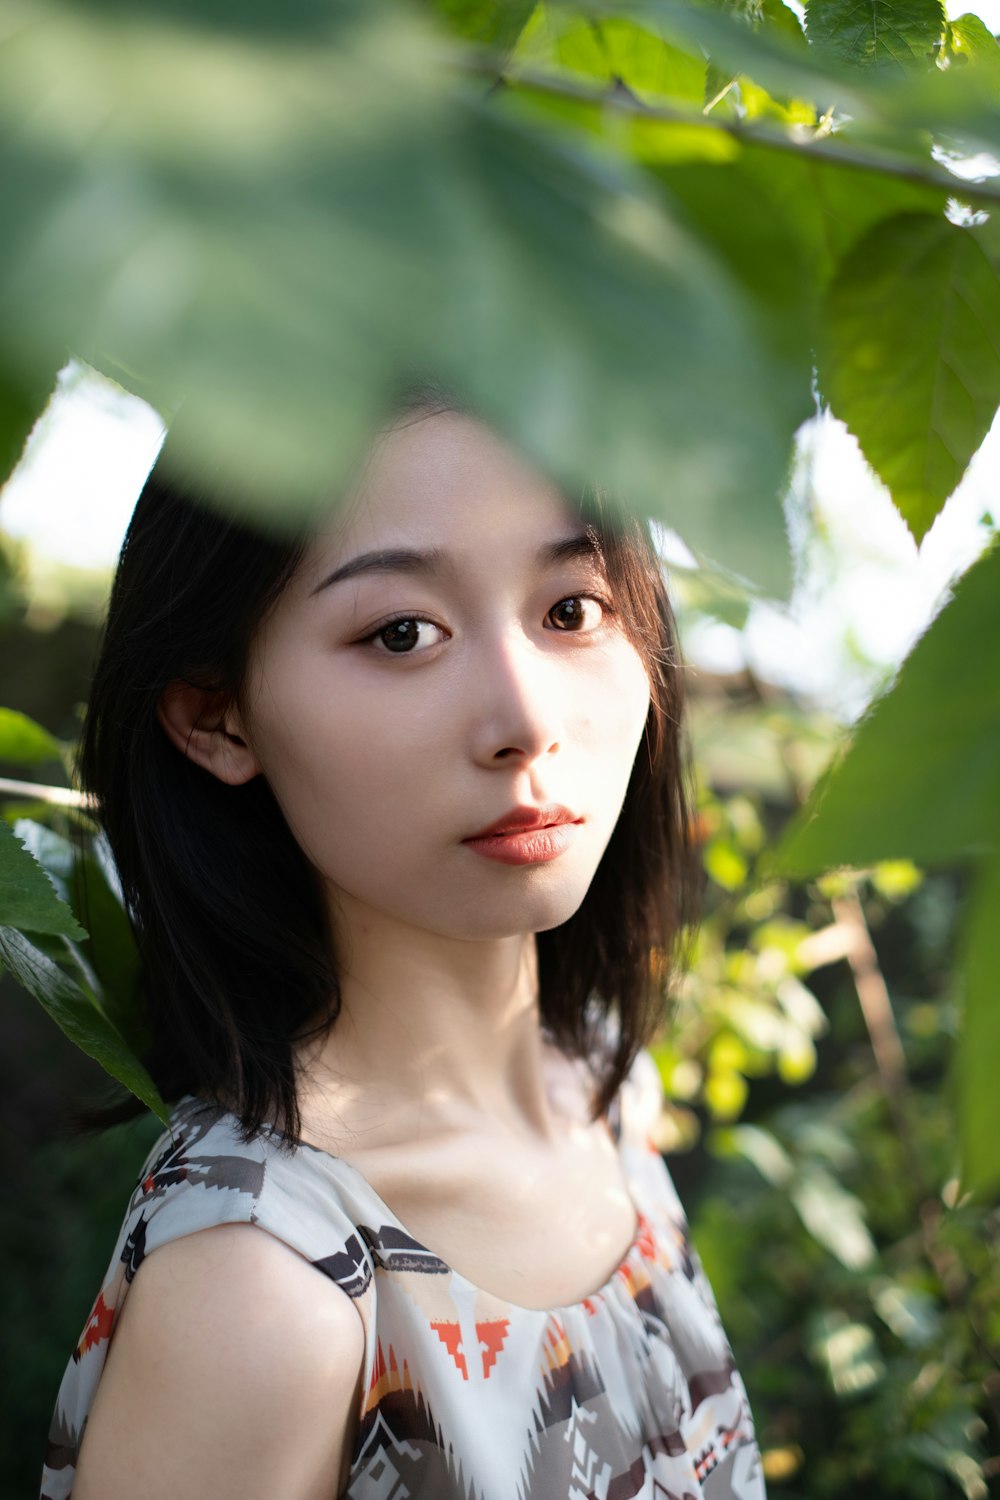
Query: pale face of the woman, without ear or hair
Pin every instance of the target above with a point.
(443, 661)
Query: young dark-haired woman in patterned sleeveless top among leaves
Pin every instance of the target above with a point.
(404, 826)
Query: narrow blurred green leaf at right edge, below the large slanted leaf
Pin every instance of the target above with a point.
(978, 1063)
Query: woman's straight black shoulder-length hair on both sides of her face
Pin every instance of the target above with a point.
(236, 961)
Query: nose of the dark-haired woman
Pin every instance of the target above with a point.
(518, 703)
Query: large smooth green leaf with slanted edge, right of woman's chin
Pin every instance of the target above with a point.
(921, 779)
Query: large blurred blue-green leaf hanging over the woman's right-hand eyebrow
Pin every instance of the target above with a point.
(614, 346)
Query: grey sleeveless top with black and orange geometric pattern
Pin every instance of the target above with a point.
(630, 1393)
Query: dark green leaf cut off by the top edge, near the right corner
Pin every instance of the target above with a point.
(891, 35)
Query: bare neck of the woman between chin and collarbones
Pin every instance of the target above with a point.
(434, 1036)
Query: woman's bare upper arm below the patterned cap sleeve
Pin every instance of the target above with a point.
(235, 1372)
